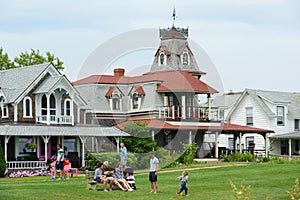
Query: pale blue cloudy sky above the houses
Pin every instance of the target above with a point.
(239, 43)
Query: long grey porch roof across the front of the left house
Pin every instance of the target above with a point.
(43, 130)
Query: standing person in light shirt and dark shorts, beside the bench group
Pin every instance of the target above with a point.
(153, 172)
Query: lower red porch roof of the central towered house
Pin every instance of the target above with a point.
(159, 124)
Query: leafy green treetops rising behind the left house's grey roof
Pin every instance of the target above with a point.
(26, 59)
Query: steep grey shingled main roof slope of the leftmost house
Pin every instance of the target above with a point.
(14, 82)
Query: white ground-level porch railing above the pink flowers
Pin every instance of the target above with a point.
(26, 164)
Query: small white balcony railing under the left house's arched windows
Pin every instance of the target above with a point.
(54, 119)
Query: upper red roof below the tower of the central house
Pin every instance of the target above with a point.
(175, 80)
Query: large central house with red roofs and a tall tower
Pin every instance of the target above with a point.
(166, 99)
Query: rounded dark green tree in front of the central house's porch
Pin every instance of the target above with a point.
(141, 140)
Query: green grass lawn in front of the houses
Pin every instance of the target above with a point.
(206, 182)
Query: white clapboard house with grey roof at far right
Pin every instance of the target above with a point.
(273, 110)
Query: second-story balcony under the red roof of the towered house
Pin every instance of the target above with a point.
(189, 112)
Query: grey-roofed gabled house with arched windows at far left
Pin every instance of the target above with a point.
(39, 108)
